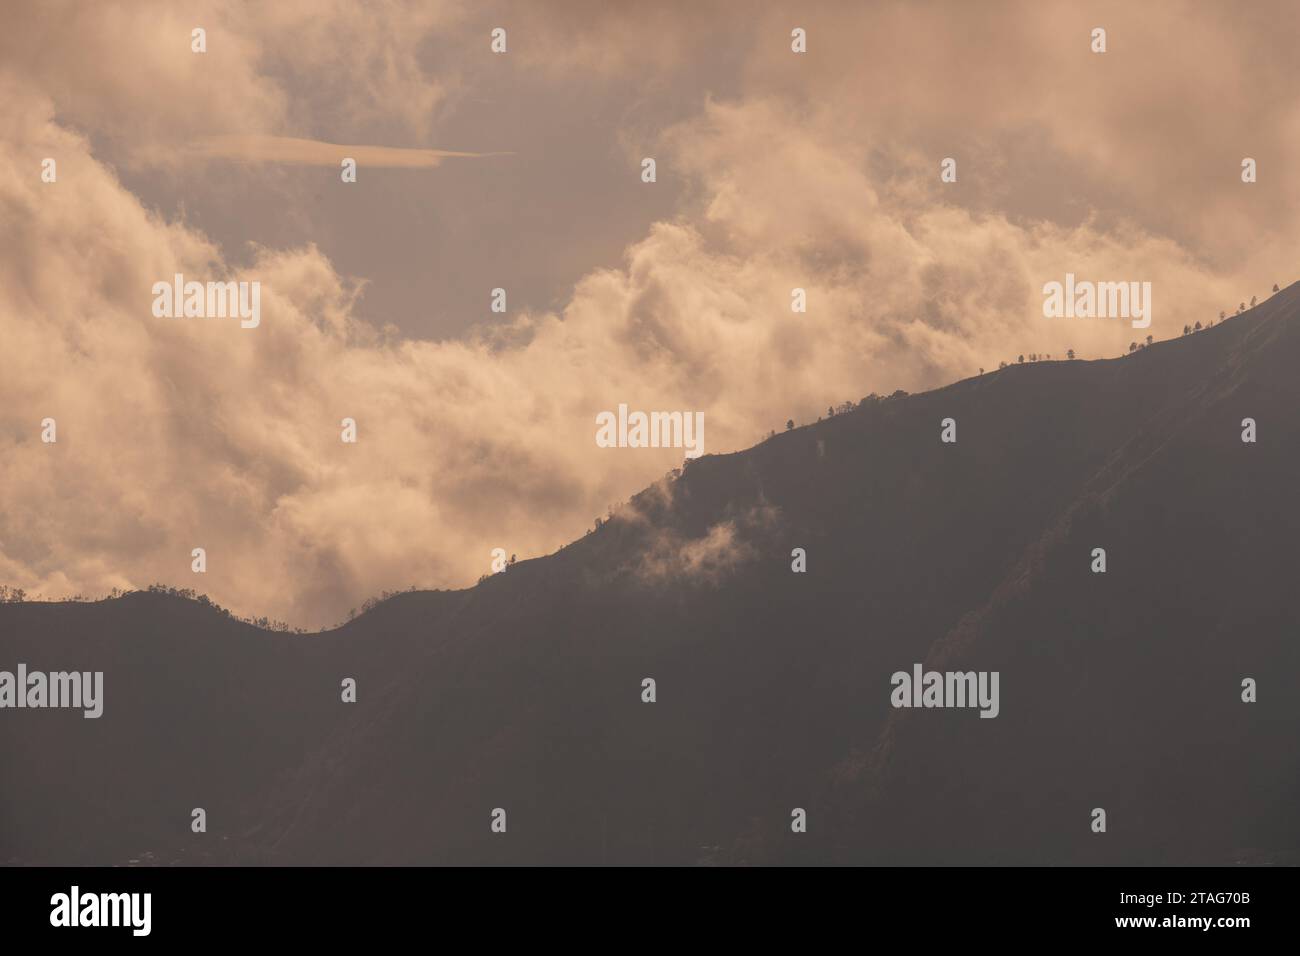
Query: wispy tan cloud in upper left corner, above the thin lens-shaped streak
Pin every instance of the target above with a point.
(127, 72)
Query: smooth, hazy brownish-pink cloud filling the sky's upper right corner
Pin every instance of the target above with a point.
(1154, 131)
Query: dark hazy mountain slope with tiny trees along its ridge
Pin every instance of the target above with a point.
(1119, 690)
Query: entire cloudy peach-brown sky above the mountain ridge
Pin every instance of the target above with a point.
(476, 430)
